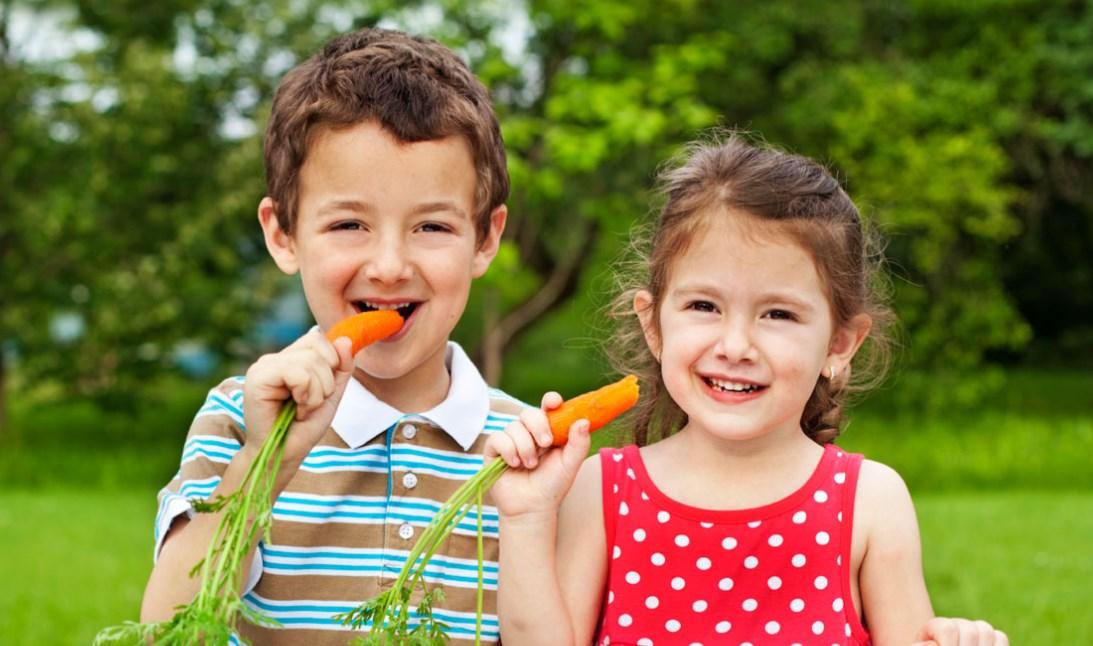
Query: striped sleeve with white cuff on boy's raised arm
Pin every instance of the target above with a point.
(216, 436)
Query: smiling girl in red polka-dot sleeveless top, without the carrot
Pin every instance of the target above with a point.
(738, 521)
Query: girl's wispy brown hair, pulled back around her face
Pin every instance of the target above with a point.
(774, 192)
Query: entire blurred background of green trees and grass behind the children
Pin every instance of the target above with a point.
(135, 278)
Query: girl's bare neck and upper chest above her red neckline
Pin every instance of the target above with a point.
(702, 471)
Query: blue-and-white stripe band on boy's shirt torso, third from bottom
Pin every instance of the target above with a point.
(300, 508)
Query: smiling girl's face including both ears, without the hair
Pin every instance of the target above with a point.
(745, 331)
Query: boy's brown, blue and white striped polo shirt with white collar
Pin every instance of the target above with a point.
(346, 523)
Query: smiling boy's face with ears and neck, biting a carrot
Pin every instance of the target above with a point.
(385, 225)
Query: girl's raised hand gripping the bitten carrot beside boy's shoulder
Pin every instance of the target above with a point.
(540, 476)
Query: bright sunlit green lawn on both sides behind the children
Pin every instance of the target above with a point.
(76, 561)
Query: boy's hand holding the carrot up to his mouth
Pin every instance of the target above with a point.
(314, 373)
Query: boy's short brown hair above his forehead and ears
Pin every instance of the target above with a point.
(415, 88)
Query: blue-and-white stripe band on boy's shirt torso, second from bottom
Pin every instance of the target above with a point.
(334, 561)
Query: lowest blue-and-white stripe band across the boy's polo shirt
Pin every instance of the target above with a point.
(318, 615)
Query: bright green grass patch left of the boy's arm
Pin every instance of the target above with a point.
(74, 562)
